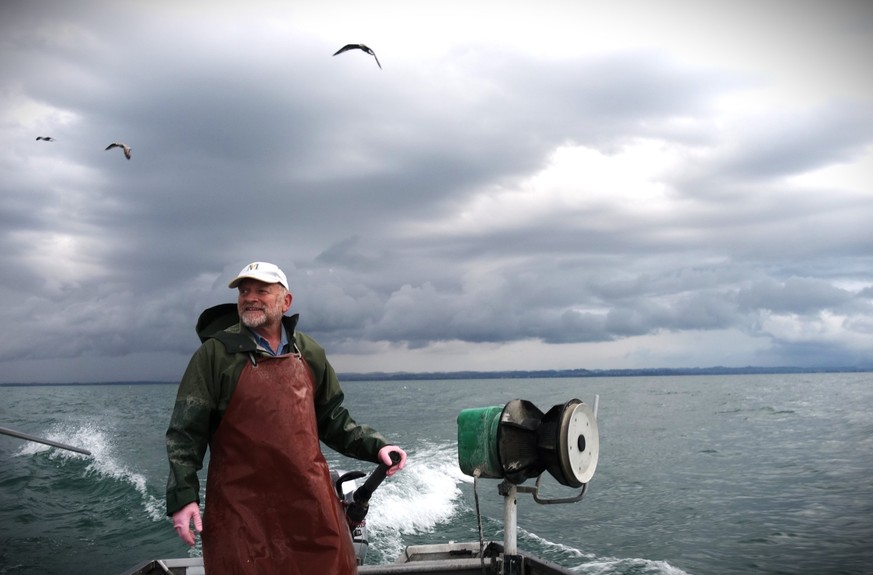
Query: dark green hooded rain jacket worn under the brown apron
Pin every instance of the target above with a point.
(208, 385)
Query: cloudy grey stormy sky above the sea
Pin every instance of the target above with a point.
(523, 185)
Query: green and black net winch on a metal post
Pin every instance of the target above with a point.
(516, 442)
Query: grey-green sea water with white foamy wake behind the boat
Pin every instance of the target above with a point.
(697, 474)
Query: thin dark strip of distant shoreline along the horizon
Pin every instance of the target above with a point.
(539, 374)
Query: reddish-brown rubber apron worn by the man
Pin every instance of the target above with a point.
(270, 504)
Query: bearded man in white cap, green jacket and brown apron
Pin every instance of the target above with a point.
(261, 395)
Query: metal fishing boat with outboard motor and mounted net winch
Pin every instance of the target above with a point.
(514, 442)
